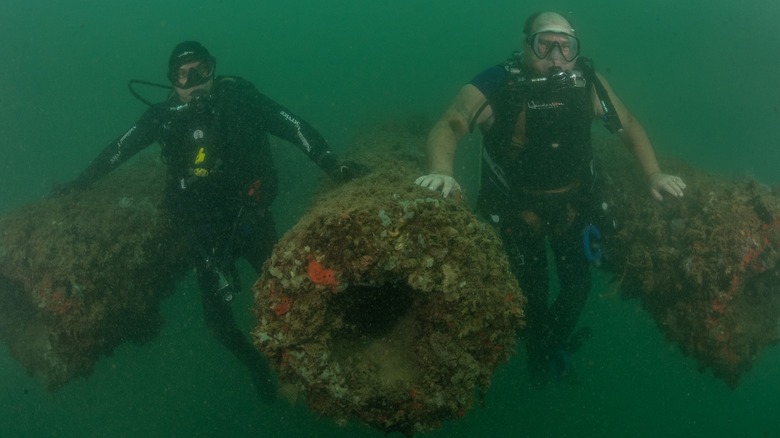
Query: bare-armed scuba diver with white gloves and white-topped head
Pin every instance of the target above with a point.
(539, 186)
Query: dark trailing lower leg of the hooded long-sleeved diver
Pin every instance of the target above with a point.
(219, 318)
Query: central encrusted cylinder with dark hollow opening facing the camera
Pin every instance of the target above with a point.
(387, 303)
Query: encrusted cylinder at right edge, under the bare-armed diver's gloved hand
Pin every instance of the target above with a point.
(705, 266)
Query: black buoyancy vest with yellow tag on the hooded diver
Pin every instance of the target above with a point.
(217, 154)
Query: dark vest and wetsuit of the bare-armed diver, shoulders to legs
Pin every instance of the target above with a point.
(536, 186)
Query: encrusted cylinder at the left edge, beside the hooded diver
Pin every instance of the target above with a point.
(83, 273)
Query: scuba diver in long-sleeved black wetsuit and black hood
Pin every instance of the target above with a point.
(213, 131)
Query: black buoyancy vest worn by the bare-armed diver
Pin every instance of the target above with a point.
(540, 138)
